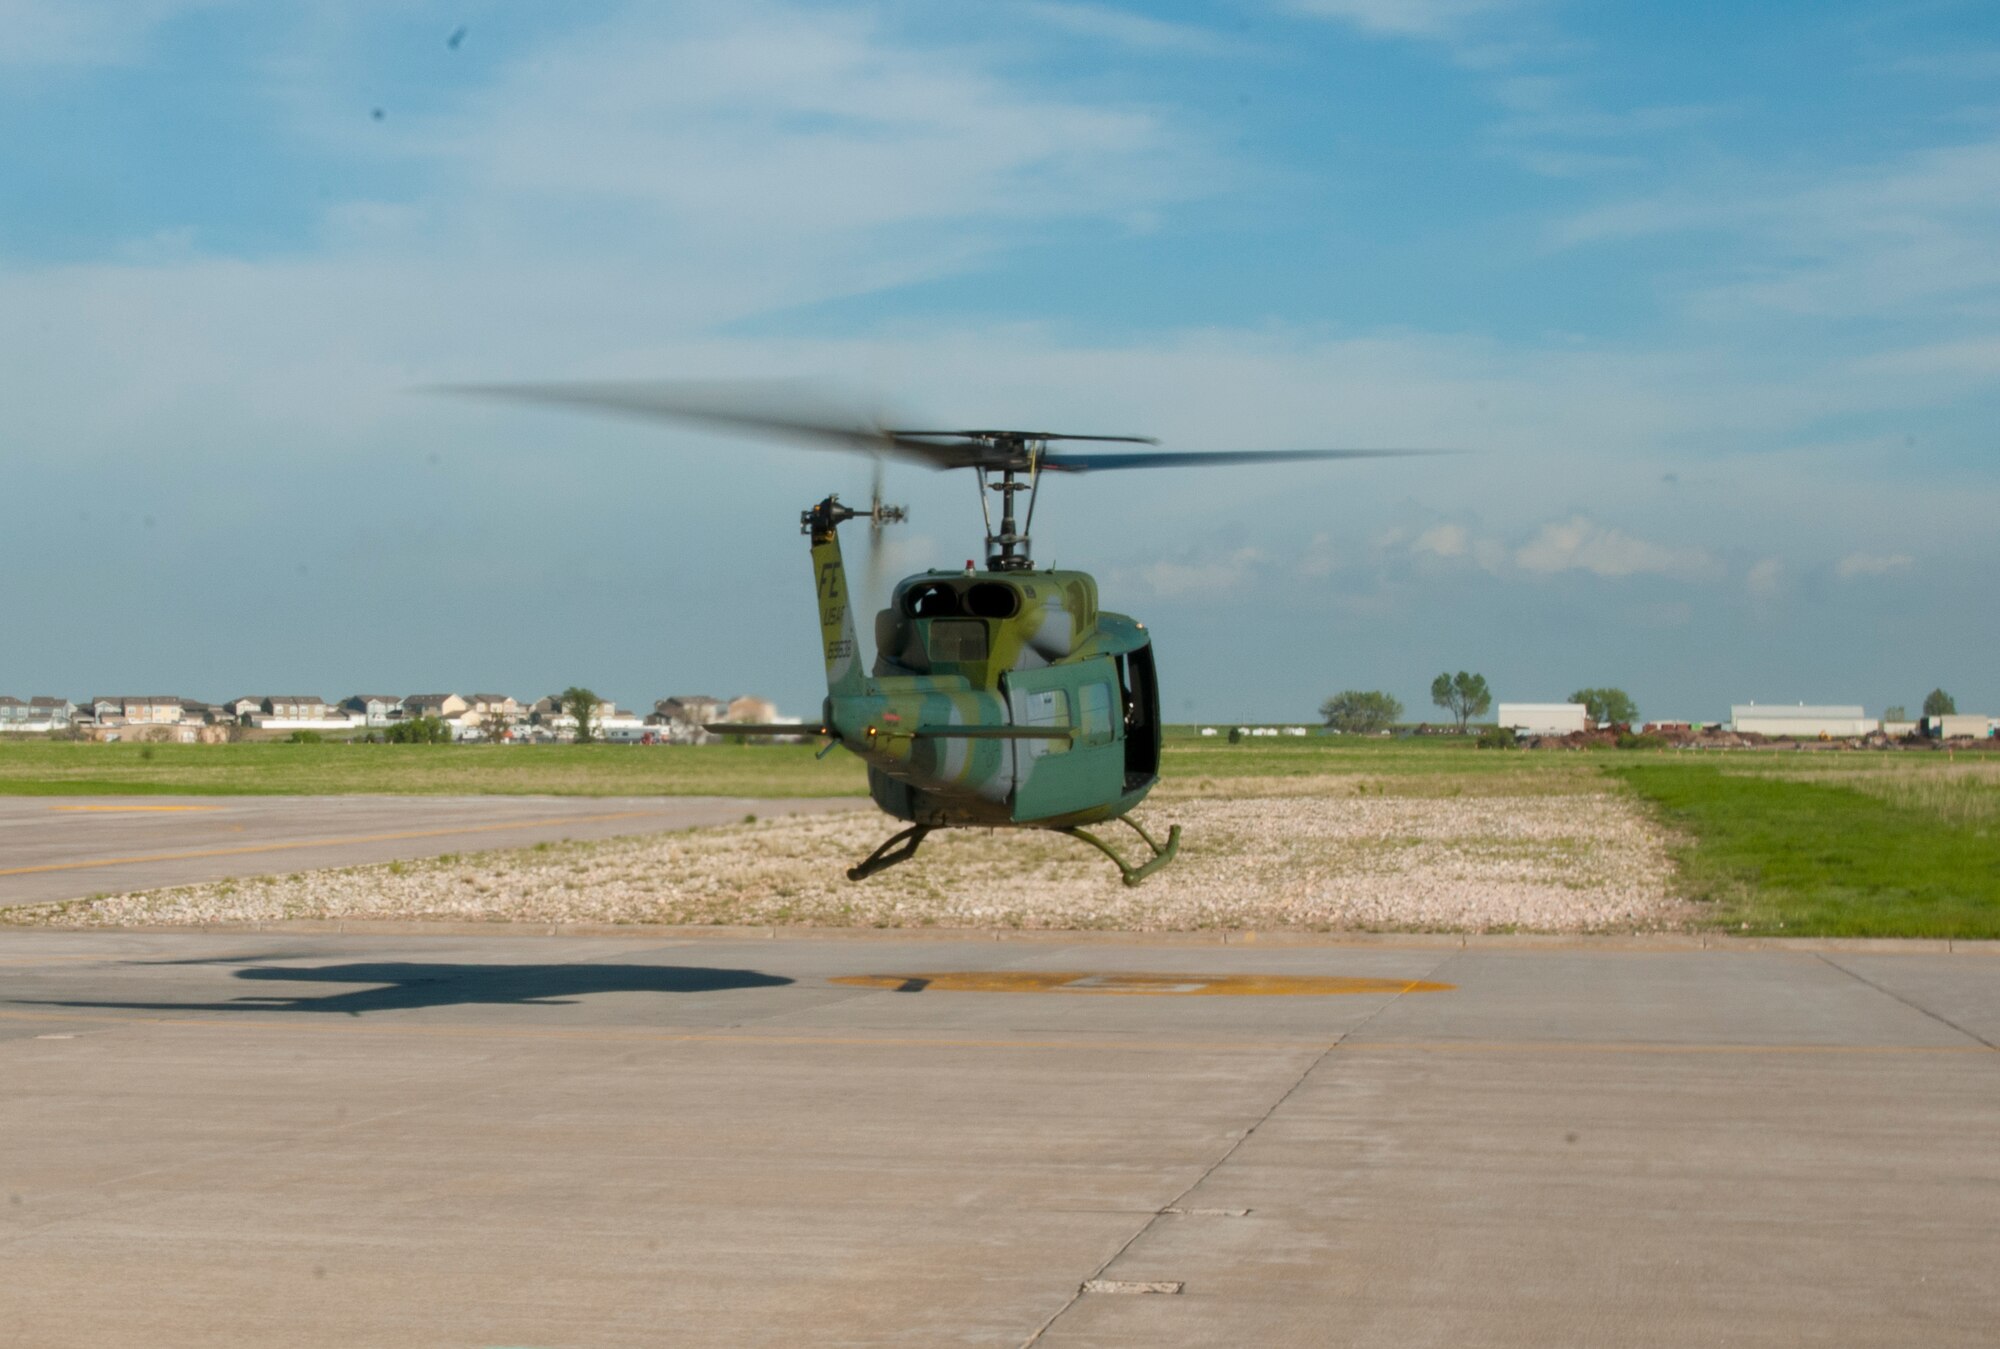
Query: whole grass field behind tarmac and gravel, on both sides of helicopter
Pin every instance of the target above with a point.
(1777, 844)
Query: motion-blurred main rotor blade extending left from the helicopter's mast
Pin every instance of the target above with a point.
(749, 407)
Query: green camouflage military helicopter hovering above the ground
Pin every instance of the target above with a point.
(1001, 696)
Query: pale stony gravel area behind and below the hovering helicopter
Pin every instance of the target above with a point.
(1317, 862)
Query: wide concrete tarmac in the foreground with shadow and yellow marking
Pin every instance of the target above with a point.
(259, 1140)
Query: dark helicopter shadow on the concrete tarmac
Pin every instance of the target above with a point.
(403, 986)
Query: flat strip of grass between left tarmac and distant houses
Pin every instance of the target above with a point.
(79, 770)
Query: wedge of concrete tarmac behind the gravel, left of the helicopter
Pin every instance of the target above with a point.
(71, 848)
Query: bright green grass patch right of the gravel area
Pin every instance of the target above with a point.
(1793, 858)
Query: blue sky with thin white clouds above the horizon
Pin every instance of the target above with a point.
(1711, 293)
